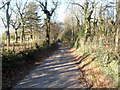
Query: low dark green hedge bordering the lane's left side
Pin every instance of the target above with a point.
(11, 59)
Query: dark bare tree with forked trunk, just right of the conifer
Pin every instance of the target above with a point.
(48, 13)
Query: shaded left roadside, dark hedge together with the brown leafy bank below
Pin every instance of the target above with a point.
(16, 65)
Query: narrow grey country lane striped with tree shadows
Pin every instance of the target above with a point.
(58, 71)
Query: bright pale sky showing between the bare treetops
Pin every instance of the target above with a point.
(60, 14)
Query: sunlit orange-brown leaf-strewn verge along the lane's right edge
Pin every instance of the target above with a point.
(93, 71)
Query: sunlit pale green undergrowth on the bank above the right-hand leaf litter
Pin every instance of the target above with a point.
(106, 57)
